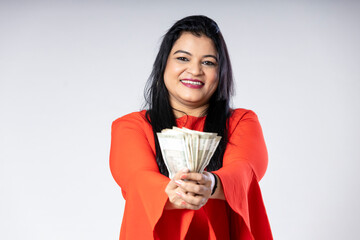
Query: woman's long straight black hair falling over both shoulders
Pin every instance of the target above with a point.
(160, 113)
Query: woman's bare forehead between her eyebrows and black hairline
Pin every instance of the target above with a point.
(194, 44)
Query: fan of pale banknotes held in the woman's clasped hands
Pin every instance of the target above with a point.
(184, 148)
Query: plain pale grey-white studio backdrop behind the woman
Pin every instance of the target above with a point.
(68, 69)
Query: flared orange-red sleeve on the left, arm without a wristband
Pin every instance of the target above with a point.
(134, 168)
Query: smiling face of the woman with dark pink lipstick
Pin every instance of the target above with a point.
(191, 73)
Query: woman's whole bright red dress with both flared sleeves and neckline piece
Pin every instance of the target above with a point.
(133, 166)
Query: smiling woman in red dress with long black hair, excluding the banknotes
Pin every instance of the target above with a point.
(190, 86)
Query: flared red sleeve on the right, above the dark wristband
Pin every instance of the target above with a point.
(245, 162)
